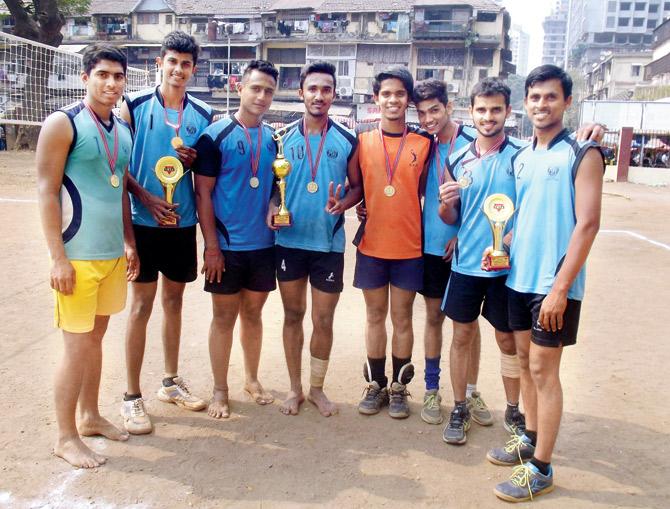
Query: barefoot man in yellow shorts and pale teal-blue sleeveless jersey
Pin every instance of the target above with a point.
(82, 154)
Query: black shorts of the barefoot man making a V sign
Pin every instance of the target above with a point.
(325, 270)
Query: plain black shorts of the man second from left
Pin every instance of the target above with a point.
(170, 251)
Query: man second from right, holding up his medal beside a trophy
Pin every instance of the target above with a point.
(477, 171)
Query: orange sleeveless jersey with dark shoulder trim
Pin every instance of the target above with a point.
(393, 228)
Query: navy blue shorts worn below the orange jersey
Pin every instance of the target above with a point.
(372, 273)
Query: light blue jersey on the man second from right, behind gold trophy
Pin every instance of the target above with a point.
(489, 175)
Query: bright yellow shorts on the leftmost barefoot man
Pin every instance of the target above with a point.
(99, 289)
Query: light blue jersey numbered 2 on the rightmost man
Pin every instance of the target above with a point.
(545, 203)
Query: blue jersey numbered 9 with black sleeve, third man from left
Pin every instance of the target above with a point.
(240, 209)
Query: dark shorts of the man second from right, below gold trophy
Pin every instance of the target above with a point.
(467, 296)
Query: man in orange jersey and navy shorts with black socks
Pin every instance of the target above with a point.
(389, 263)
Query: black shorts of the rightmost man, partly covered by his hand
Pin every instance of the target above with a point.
(524, 311)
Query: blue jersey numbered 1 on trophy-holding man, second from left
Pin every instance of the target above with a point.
(152, 141)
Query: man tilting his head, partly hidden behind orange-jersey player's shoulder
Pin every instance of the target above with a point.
(434, 110)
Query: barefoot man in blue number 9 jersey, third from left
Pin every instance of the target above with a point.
(233, 185)
